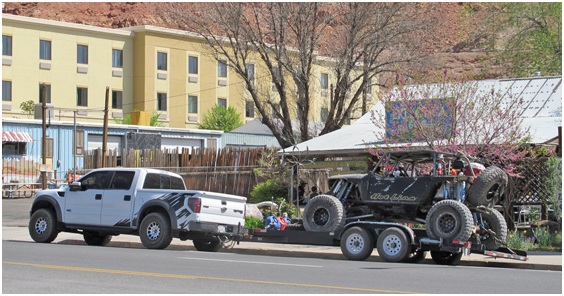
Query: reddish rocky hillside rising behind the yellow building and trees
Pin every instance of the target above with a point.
(448, 42)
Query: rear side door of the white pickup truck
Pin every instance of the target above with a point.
(118, 199)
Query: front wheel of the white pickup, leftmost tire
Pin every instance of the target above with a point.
(43, 226)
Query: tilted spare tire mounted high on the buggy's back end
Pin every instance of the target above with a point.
(488, 188)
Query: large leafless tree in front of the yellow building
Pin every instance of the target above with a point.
(362, 39)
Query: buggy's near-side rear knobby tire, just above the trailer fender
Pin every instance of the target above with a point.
(449, 219)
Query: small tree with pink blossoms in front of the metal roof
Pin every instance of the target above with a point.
(455, 116)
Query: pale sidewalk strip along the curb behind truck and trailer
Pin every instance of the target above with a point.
(536, 260)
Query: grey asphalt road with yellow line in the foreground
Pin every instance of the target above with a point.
(68, 268)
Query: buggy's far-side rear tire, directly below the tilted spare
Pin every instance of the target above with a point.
(494, 222)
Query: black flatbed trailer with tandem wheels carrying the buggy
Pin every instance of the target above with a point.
(395, 243)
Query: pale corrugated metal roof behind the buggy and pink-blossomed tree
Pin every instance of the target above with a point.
(542, 114)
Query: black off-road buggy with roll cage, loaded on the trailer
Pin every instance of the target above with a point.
(446, 192)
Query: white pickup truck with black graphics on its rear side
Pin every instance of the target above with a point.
(151, 203)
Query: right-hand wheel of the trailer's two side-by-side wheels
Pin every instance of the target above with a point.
(393, 245)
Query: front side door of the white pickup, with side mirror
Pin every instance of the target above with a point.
(84, 206)
